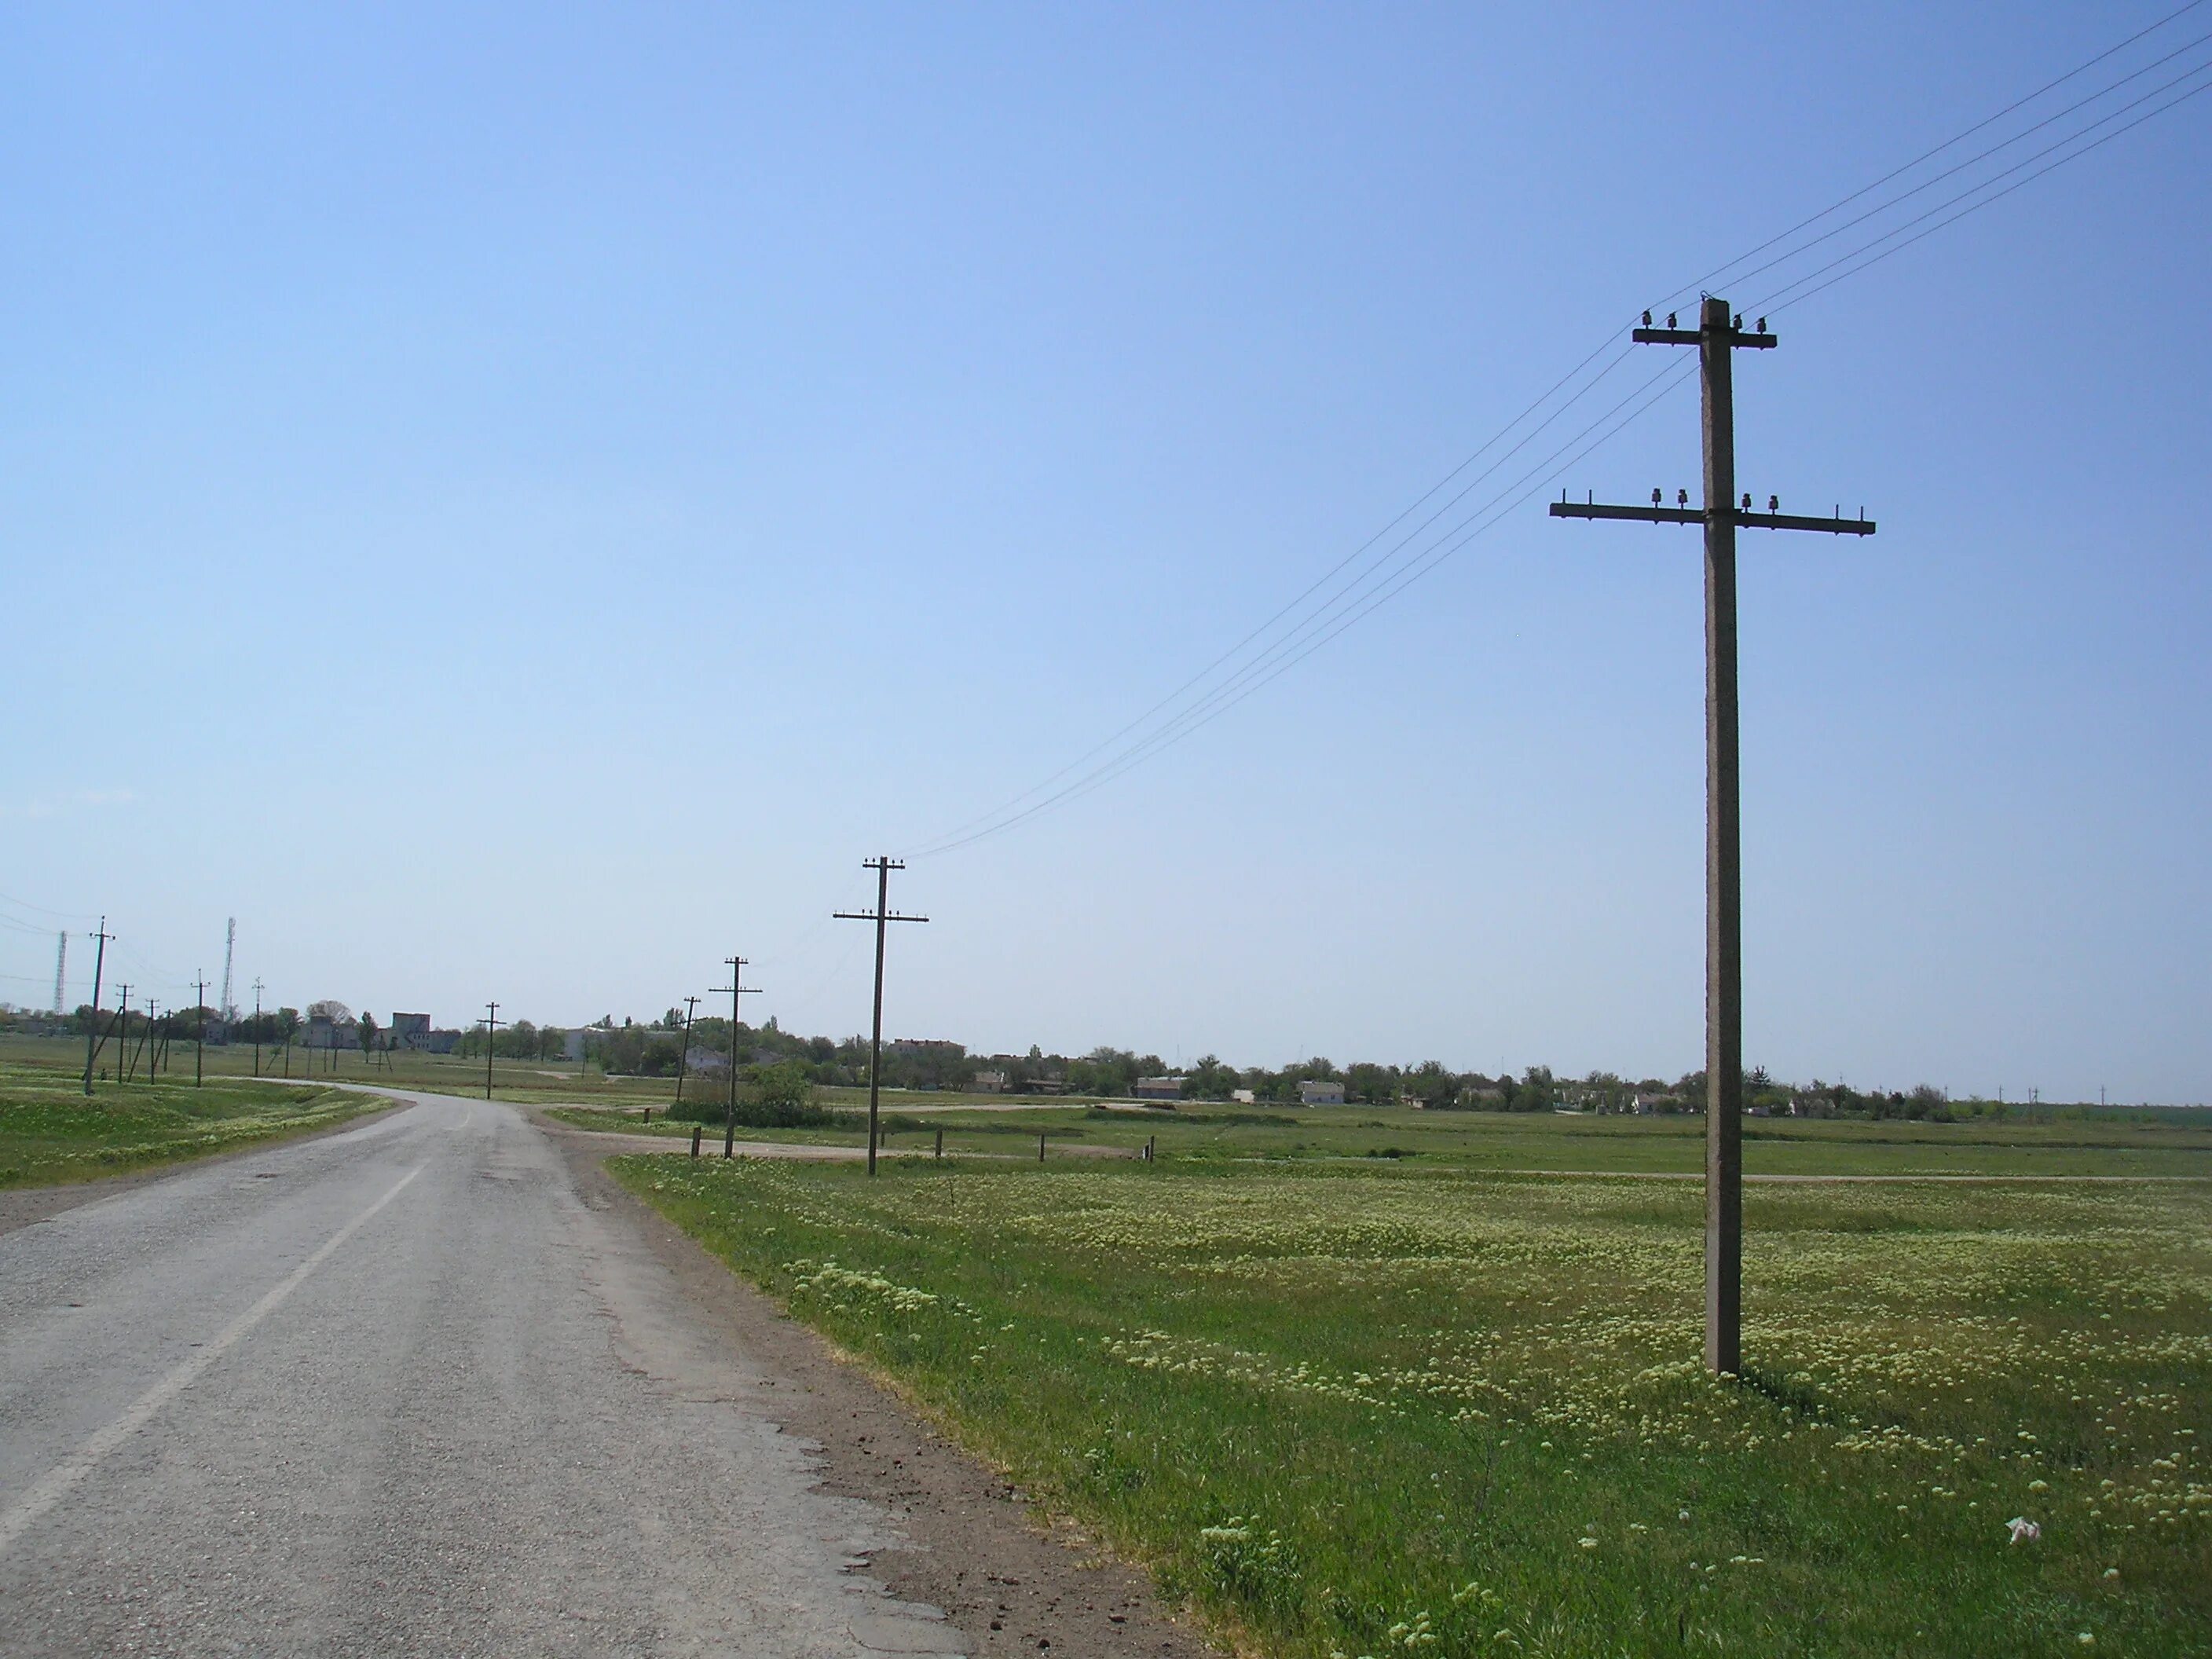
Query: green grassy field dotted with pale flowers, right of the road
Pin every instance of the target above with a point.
(1406, 1408)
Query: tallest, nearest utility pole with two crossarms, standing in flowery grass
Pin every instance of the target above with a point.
(1718, 337)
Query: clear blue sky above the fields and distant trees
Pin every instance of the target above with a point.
(519, 501)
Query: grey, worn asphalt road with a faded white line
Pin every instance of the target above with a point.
(399, 1392)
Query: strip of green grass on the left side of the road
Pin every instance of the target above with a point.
(52, 1131)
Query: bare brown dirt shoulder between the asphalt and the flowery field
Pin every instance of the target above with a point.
(1003, 1572)
